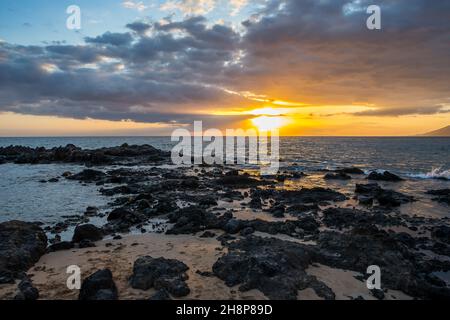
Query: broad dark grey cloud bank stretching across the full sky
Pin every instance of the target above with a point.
(318, 52)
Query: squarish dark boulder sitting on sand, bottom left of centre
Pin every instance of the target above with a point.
(160, 273)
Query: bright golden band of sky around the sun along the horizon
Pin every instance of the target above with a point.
(291, 120)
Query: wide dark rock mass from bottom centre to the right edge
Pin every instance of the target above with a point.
(277, 267)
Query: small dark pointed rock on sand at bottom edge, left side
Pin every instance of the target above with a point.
(99, 286)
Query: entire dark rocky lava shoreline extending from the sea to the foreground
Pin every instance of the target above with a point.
(286, 232)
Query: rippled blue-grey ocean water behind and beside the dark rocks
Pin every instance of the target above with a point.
(424, 162)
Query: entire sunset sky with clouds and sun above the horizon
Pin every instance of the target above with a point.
(307, 67)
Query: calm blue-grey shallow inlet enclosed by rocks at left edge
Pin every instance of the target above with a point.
(24, 197)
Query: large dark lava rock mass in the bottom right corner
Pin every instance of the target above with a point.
(403, 267)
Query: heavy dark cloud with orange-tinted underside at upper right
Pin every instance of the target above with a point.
(322, 52)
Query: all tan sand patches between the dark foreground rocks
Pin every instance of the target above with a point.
(199, 254)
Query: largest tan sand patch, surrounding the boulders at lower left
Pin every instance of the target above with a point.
(49, 274)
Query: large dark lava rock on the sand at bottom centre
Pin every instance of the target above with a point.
(275, 267)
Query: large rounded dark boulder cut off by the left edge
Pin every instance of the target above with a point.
(21, 246)
